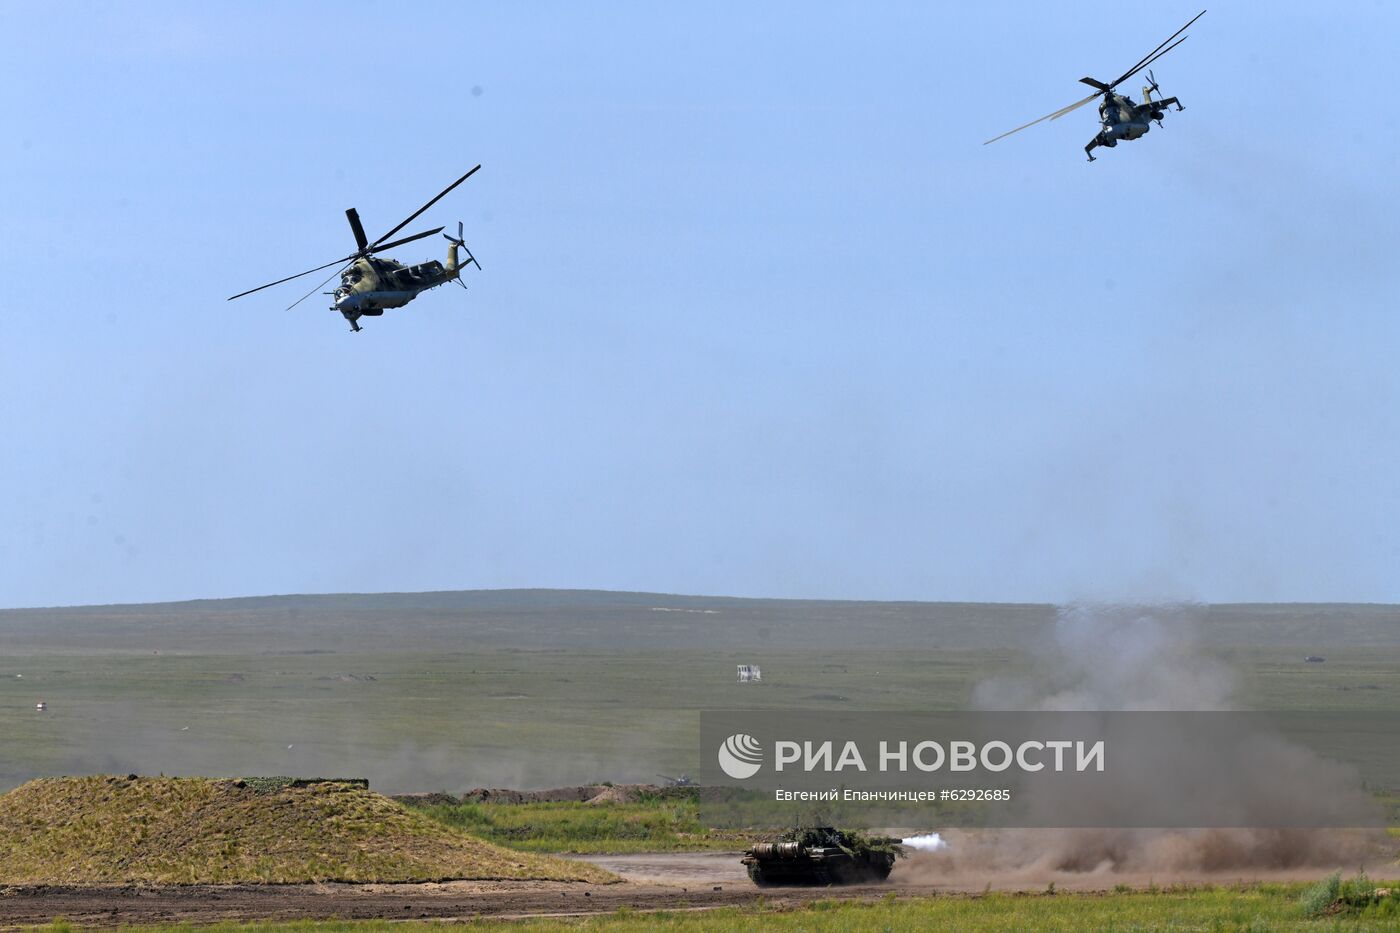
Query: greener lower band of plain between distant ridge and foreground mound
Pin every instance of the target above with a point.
(506, 718)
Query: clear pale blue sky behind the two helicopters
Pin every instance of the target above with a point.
(759, 315)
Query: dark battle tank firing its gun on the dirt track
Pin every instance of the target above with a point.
(822, 855)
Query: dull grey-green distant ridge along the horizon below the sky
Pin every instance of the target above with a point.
(626, 623)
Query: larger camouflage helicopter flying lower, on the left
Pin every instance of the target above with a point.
(369, 284)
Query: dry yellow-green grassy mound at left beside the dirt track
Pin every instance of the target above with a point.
(201, 831)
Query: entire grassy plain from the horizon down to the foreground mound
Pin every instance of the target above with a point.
(541, 689)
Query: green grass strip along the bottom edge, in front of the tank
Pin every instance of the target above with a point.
(1245, 910)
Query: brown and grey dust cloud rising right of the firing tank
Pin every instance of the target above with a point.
(1112, 658)
